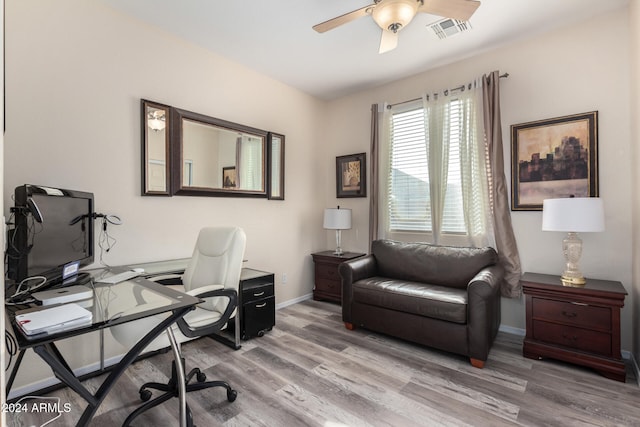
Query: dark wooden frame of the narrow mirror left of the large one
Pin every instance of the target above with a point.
(144, 103)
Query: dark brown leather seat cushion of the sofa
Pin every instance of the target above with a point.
(439, 302)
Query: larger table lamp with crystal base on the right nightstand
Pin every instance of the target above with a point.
(573, 215)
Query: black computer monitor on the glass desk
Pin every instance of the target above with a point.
(53, 233)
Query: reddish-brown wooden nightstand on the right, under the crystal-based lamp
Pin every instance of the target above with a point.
(579, 325)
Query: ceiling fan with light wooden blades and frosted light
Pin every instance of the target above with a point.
(394, 15)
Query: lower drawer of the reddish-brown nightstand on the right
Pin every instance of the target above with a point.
(577, 338)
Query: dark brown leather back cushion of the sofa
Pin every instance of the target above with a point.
(423, 262)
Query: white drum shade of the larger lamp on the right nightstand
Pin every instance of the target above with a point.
(575, 214)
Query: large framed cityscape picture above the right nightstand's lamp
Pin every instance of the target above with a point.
(554, 158)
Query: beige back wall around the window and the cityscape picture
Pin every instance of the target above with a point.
(565, 72)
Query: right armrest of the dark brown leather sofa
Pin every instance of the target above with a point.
(484, 310)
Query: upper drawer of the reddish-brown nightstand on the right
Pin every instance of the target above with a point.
(582, 315)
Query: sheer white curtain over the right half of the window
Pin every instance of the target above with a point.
(457, 152)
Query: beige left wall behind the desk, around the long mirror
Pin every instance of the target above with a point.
(75, 74)
